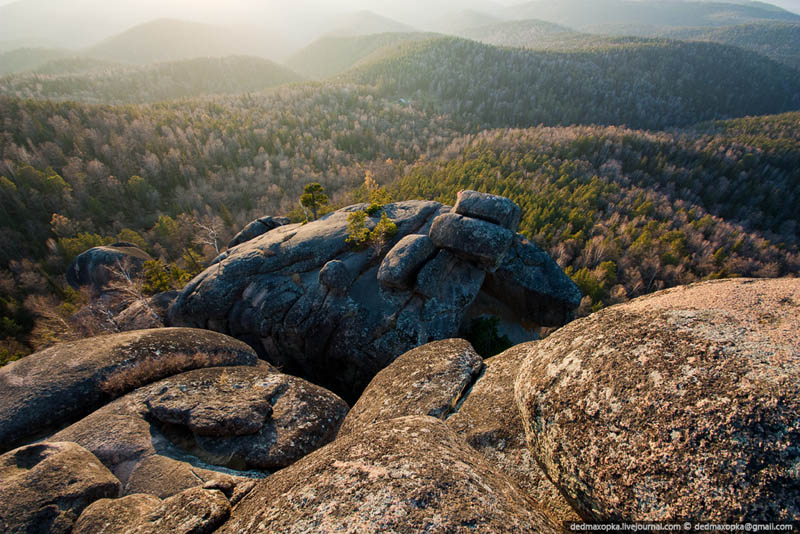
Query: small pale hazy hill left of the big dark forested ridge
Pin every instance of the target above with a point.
(330, 56)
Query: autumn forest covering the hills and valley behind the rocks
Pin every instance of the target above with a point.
(640, 163)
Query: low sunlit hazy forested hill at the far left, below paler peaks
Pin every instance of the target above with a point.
(152, 83)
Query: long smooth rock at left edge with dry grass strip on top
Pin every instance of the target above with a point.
(52, 388)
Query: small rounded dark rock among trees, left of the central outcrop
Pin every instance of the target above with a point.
(96, 266)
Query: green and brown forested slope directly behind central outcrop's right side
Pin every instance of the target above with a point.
(628, 212)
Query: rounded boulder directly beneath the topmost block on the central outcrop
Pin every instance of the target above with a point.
(475, 240)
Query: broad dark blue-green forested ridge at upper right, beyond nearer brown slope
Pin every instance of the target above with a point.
(645, 85)
